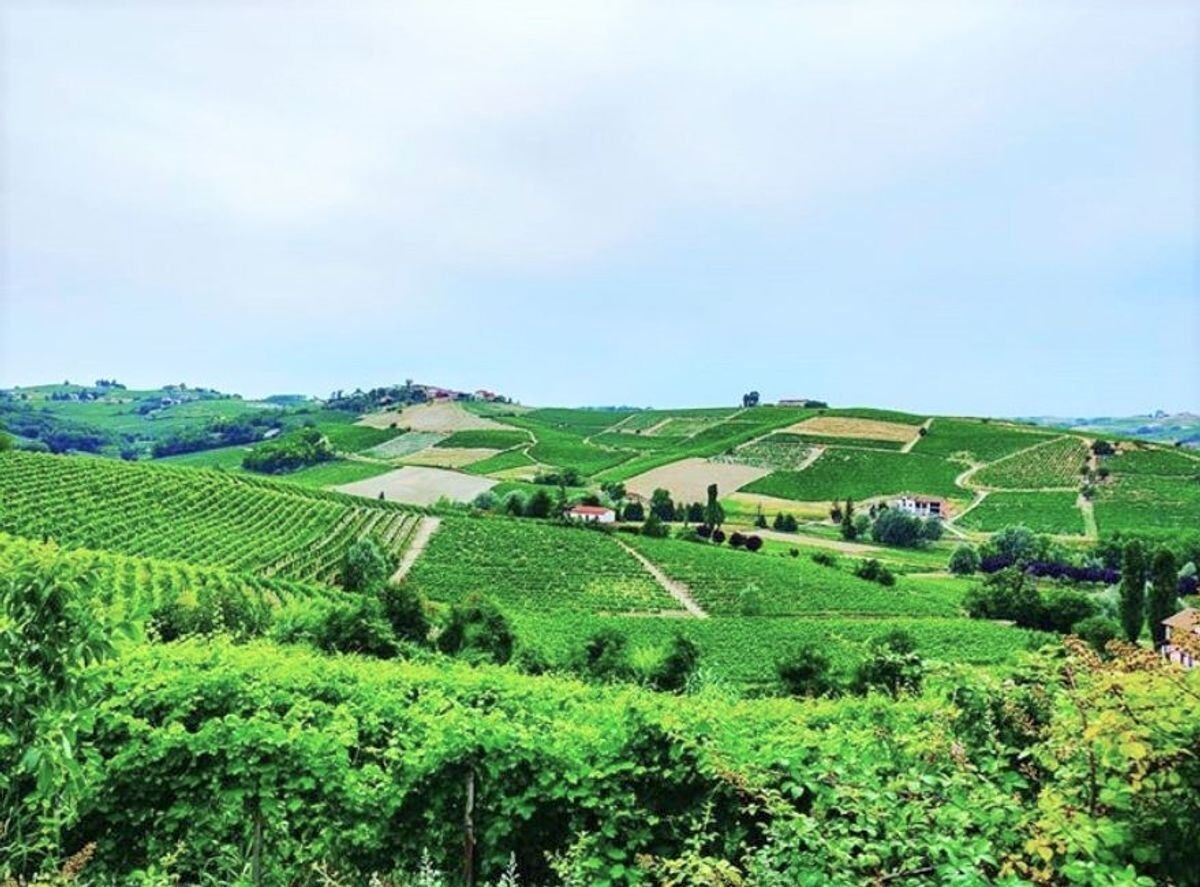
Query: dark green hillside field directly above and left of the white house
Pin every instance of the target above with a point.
(862, 475)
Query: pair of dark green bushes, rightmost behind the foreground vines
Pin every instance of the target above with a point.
(892, 666)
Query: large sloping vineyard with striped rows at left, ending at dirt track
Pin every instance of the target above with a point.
(206, 518)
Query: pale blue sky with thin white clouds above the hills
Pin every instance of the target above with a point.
(986, 208)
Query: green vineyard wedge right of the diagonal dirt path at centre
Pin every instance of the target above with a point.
(719, 579)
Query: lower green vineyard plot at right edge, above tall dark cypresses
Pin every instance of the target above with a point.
(1148, 504)
